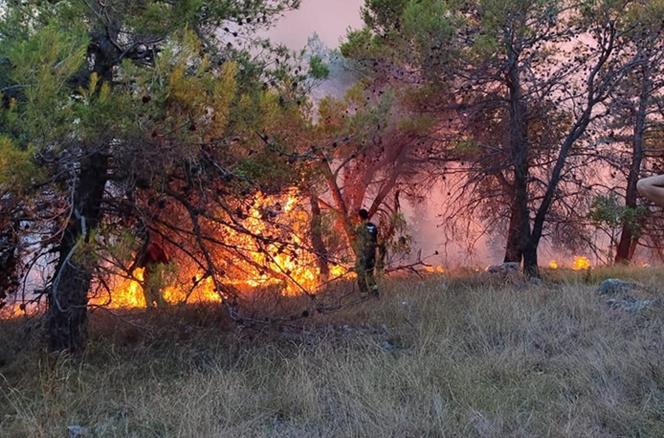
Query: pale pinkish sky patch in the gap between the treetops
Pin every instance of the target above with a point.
(329, 18)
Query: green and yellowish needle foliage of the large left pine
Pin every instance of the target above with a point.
(144, 92)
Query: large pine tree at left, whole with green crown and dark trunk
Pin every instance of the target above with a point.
(107, 103)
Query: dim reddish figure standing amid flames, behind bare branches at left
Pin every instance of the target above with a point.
(153, 260)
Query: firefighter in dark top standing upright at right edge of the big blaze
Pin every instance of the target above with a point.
(366, 242)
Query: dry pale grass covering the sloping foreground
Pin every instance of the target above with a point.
(432, 358)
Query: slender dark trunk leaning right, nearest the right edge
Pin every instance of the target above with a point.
(628, 236)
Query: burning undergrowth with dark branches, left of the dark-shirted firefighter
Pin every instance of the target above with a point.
(225, 252)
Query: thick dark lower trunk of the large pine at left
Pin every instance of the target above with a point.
(68, 298)
